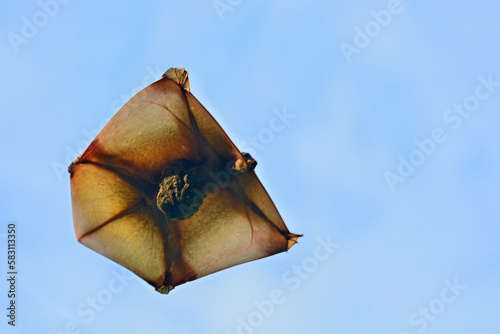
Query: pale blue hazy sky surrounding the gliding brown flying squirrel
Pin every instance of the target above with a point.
(420, 256)
